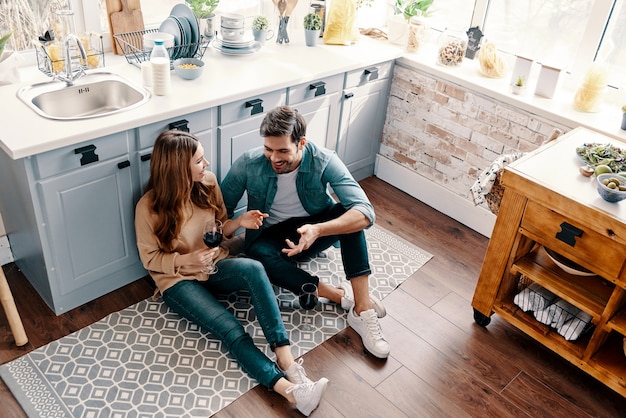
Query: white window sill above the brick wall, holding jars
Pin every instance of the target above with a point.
(559, 109)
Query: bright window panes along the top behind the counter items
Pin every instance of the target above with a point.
(567, 33)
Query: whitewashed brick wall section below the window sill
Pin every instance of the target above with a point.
(449, 134)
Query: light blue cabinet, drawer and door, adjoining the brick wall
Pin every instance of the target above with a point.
(364, 103)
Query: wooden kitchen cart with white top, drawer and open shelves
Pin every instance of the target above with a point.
(547, 202)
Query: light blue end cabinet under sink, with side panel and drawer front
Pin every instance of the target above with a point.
(69, 216)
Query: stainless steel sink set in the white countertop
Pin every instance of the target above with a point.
(90, 96)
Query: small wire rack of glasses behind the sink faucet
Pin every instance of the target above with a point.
(50, 58)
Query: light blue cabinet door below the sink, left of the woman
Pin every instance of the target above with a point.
(90, 217)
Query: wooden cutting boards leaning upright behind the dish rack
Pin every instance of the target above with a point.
(125, 16)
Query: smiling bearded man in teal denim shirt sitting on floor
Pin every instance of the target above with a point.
(287, 179)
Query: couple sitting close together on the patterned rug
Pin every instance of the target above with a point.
(290, 215)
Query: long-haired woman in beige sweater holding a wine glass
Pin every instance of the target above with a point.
(181, 196)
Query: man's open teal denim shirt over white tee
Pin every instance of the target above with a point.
(320, 169)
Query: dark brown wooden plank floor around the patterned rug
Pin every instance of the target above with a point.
(442, 364)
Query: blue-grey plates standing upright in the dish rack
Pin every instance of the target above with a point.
(184, 26)
